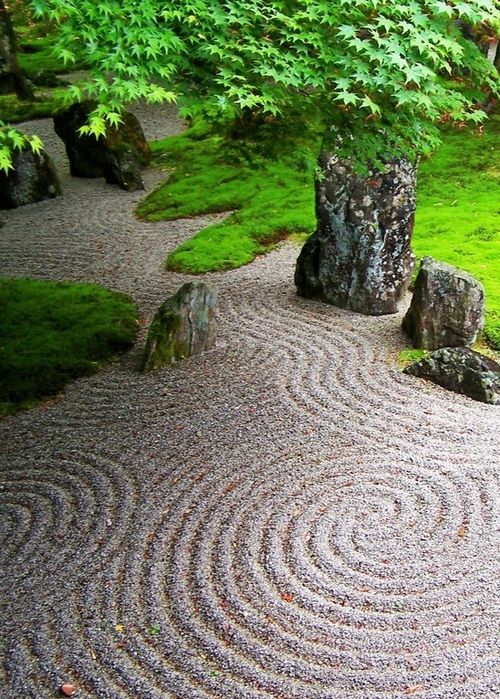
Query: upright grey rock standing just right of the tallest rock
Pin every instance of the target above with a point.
(447, 308)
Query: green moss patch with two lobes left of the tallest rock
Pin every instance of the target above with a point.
(263, 179)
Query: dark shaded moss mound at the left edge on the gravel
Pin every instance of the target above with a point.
(52, 332)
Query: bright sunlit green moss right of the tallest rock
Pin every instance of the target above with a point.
(458, 212)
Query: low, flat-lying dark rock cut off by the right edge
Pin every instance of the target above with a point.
(462, 370)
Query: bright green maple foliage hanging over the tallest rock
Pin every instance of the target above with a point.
(384, 72)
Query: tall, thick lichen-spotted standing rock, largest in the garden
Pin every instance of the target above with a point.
(360, 256)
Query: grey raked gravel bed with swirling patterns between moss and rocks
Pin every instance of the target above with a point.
(285, 517)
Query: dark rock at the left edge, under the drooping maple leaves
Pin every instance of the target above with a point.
(33, 179)
